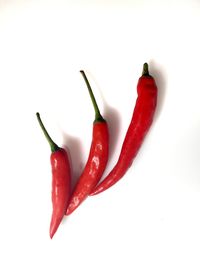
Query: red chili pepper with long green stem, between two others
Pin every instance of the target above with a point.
(97, 159)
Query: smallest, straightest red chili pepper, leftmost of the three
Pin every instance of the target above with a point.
(61, 179)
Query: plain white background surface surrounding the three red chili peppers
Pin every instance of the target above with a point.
(152, 216)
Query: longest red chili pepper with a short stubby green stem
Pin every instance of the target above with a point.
(140, 123)
